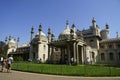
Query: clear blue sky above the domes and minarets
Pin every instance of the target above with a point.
(18, 16)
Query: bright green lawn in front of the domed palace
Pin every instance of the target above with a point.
(79, 70)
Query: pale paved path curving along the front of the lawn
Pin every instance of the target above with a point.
(17, 75)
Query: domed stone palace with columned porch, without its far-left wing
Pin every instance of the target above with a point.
(87, 46)
